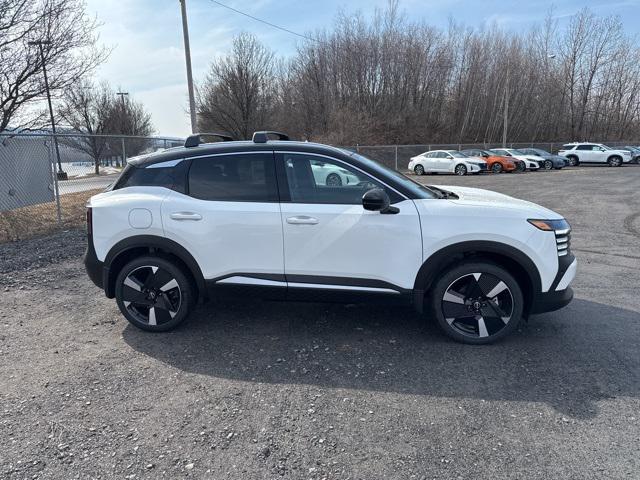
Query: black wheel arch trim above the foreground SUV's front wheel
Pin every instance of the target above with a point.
(440, 259)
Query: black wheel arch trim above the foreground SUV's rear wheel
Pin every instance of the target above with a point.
(150, 242)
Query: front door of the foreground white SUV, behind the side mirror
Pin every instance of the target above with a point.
(331, 242)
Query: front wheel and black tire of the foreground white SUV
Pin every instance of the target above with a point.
(472, 317)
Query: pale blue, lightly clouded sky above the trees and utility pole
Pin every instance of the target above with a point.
(148, 56)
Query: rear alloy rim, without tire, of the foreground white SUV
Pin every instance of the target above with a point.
(151, 295)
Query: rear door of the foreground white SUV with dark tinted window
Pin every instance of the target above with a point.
(229, 218)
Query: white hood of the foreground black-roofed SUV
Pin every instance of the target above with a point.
(493, 200)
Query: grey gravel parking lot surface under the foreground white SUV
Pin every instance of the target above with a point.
(270, 390)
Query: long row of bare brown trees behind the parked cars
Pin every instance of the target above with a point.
(391, 80)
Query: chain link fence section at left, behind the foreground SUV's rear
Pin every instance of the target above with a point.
(45, 181)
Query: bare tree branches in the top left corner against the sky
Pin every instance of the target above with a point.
(68, 55)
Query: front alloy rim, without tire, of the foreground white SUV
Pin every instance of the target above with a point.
(478, 305)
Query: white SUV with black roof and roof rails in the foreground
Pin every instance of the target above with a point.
(260, 219)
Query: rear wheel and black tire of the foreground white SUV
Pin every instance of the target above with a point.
(154, 294)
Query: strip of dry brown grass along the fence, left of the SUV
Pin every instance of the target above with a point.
(42, 219)
